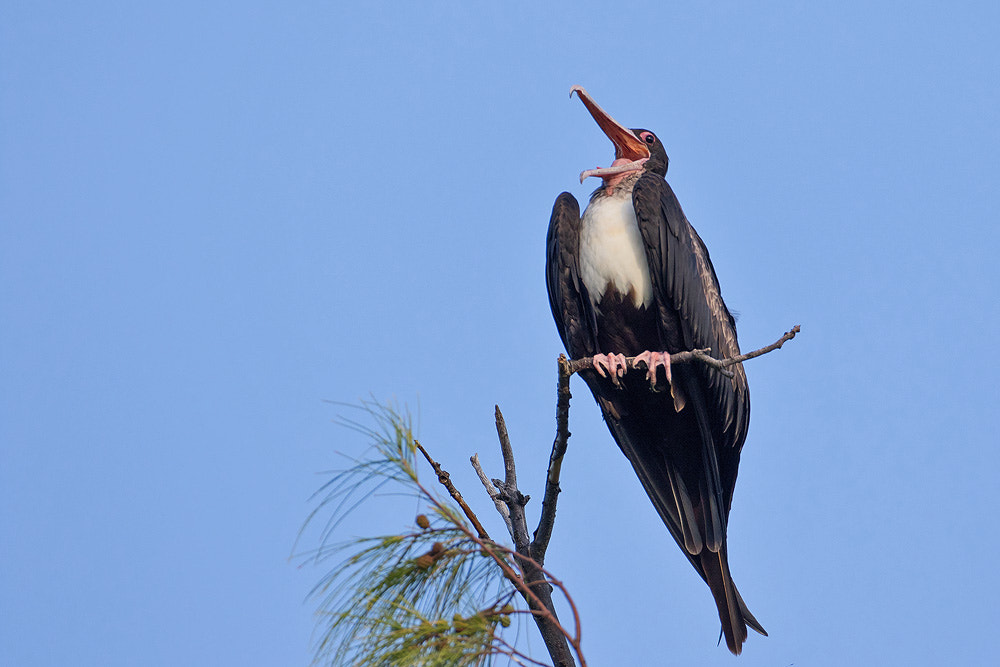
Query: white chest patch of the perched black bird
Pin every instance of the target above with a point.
(611, 251)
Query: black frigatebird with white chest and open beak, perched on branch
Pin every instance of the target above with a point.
(632, 278)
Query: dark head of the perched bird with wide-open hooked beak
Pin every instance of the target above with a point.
(636, 151)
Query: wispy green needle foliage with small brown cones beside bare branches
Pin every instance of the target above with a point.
(432, 596)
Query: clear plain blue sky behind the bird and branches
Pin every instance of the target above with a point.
(214, 217)
